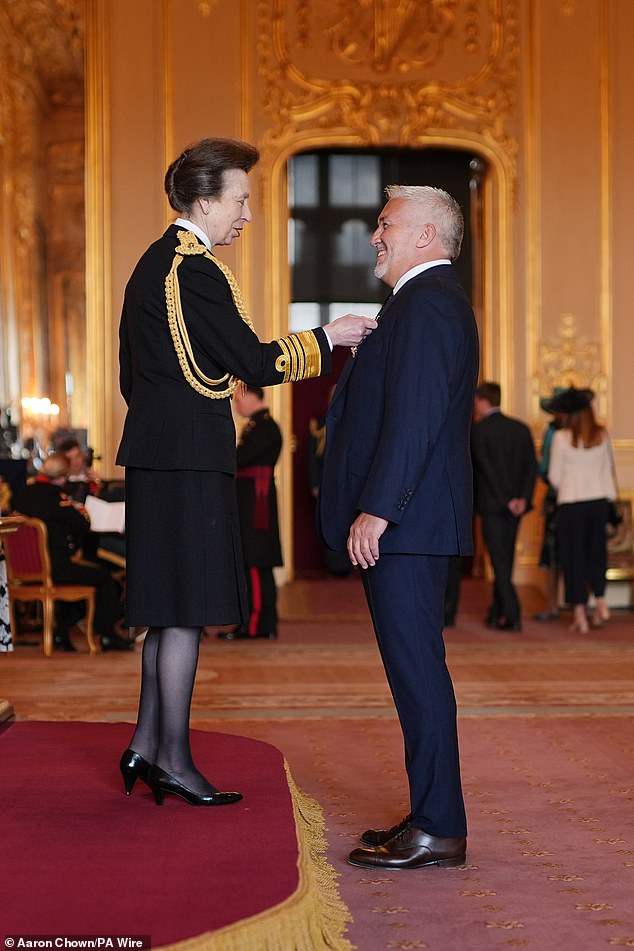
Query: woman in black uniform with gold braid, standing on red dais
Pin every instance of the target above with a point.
(186, 340)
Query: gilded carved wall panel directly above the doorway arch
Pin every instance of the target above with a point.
(413, 71)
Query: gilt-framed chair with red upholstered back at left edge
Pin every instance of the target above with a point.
(29, 577)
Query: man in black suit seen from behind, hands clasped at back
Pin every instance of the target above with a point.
(505, 469)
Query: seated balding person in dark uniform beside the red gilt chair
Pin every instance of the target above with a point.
(67, 529)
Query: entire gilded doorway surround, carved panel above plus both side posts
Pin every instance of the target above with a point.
(375, 73)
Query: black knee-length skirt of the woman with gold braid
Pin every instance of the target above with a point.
(183, 556)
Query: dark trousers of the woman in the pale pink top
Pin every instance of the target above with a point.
(583, 548)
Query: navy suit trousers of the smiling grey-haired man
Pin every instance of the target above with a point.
(405, 594)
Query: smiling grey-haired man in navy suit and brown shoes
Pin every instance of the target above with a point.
(397, 493)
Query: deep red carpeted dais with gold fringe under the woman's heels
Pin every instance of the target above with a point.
(81, 858)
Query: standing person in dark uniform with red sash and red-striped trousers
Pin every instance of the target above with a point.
(258, 450)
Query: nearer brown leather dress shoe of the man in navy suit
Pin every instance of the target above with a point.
(412, 848)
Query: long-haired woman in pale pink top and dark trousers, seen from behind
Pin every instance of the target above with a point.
(582, 471)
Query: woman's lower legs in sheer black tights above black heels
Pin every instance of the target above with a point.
(170, 658)
